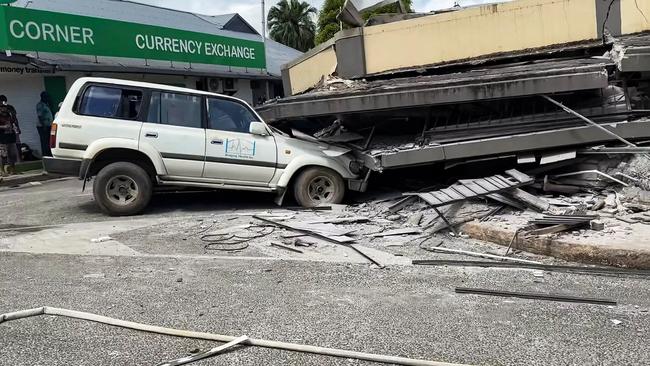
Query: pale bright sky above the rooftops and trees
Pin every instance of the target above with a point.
(251, 9)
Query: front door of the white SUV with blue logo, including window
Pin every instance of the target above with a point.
(232, 153)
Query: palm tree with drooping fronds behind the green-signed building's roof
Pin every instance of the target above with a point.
(291, 23)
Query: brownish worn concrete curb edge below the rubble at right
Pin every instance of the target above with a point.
(562, 249)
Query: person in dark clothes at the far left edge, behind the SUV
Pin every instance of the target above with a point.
(8, 132)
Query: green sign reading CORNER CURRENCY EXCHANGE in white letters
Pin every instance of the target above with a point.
(36, 30)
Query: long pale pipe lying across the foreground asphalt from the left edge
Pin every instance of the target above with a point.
(334, 352)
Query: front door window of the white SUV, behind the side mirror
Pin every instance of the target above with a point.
(227, 115)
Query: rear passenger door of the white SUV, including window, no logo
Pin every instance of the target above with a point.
(174, 127)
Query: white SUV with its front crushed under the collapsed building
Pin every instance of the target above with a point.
(134, 136)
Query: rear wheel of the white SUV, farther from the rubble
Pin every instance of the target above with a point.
(122, 189)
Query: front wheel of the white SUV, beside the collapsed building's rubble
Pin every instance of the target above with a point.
(318, 186)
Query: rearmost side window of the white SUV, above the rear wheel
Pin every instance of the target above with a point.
(111, 102)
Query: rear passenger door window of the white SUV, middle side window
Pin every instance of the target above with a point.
(175, 109)
